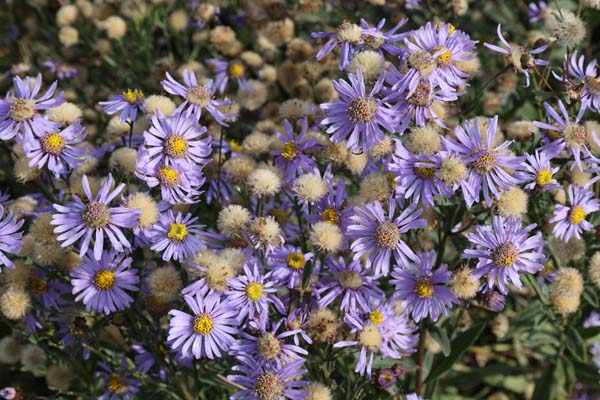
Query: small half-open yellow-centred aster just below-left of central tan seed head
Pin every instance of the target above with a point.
(288, 264)
